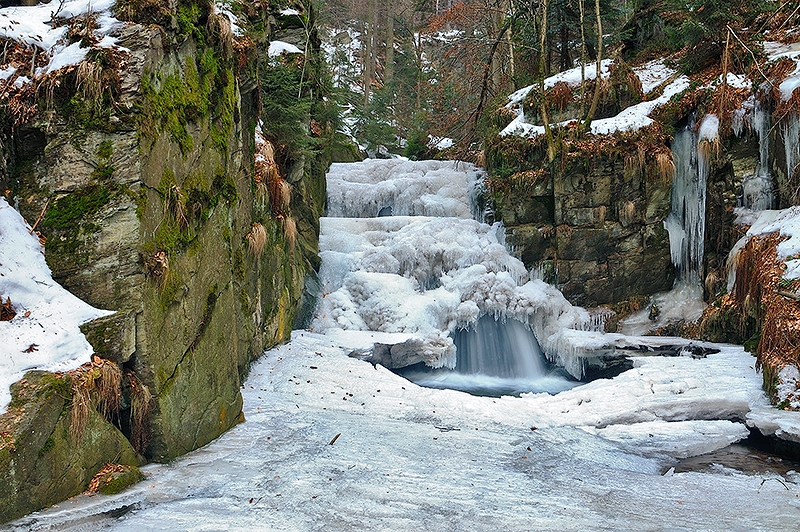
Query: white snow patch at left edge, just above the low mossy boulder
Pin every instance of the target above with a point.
(45, 333)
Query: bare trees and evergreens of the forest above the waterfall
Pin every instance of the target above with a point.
(413, 72)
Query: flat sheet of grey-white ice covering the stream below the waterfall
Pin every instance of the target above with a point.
(411, 458)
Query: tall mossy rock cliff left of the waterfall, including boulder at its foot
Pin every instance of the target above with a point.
(142, 165)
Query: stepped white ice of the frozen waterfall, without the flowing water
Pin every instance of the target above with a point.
(426, 276)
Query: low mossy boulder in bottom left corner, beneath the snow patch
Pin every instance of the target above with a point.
(41, 463)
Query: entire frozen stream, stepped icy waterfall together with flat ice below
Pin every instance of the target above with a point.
(335, 443)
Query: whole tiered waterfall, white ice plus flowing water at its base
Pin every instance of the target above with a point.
(431, 272)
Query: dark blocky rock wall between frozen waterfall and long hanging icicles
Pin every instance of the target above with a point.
(593, 225)
